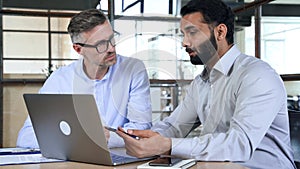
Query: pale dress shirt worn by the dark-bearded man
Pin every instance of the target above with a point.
(242, 106)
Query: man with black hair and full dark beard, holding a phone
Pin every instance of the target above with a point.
(239, 100)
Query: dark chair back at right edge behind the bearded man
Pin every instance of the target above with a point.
(294, 119)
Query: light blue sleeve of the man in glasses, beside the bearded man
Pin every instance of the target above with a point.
(135, 104)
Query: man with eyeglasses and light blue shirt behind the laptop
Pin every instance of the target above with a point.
(119, 84)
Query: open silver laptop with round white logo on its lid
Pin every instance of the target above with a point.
(68, 127)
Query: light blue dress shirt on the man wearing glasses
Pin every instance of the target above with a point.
(122, 96)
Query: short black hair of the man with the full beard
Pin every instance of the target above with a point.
(214, 12)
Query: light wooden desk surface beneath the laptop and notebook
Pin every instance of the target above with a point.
(75, 165)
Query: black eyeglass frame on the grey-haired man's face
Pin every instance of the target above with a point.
(115, 34)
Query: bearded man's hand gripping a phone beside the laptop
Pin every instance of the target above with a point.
(149, 144)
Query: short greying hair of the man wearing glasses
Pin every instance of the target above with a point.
(85, 21)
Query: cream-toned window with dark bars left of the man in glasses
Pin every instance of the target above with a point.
(34, 45)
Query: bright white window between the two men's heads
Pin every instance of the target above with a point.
(158, 44)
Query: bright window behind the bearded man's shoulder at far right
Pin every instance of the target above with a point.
(279, 47)
